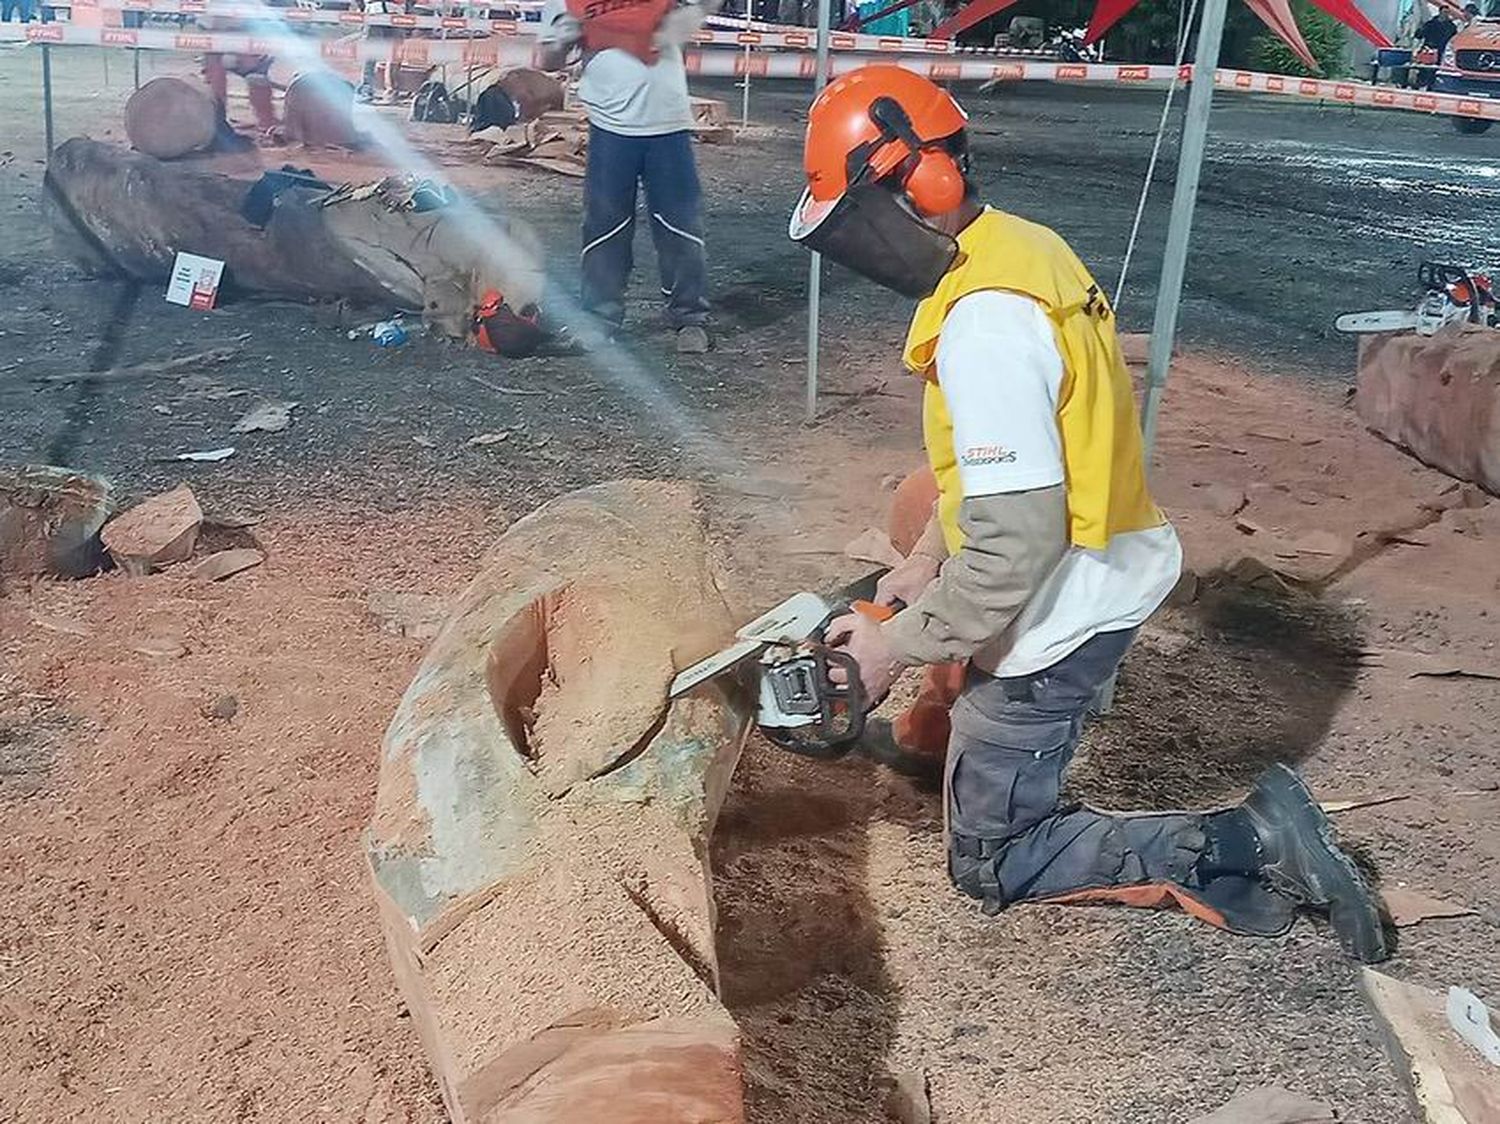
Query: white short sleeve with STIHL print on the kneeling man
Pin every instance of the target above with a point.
(1000, 373)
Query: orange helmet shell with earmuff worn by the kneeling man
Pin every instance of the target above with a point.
(883, 121)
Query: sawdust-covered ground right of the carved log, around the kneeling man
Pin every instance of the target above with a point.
(848, 957)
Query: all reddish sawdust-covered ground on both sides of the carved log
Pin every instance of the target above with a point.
(187, 930)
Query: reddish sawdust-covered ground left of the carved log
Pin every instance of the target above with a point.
(187, 930)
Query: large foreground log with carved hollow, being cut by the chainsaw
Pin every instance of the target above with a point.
(541, 835)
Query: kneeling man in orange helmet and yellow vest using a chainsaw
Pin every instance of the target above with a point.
(1045, 550)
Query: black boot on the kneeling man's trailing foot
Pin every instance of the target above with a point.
(1303, 862)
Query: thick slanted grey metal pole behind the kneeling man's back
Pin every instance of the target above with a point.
(1190, 166)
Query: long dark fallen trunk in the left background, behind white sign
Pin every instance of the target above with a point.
(121, 212)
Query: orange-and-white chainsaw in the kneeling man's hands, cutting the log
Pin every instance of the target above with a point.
(785, 661)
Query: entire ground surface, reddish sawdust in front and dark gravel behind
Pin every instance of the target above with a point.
(185, 927)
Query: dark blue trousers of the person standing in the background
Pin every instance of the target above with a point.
(665, 164)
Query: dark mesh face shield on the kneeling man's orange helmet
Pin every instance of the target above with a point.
(871, 230)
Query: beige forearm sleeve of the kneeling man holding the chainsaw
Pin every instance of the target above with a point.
(1013, 541)
